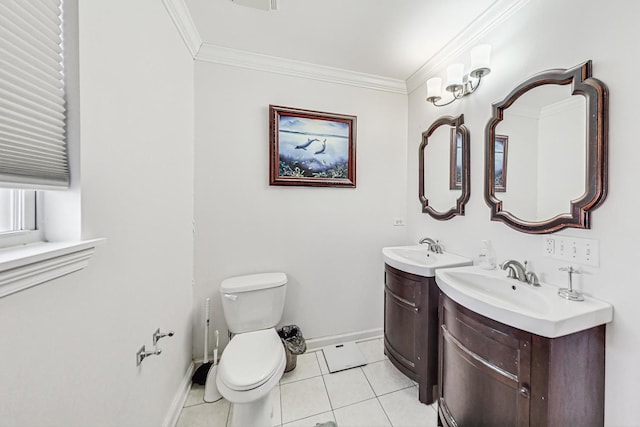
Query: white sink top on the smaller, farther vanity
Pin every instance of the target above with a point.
(417, 259)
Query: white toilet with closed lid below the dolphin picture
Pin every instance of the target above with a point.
(254, 360)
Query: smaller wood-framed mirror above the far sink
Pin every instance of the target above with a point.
(443, 186)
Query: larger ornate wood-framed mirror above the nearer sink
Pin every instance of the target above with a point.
(555, 127)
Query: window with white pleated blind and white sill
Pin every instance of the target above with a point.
(33, 144)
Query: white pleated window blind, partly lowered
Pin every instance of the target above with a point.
(33, 150)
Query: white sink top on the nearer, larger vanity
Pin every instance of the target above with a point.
(538, 310)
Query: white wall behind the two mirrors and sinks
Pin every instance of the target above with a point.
(545, 35)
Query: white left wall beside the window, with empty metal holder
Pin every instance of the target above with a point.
(67, 347)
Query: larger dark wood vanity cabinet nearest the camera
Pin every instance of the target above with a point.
(491, 374)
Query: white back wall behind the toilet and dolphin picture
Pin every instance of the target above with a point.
(327, 240)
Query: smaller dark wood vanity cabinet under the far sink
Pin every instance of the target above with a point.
(411, 328)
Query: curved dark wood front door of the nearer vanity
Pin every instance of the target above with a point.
(484, 372)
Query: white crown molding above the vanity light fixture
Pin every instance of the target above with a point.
(490, 19)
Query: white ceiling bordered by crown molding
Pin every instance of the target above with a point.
(387, 38)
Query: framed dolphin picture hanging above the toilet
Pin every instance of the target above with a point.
(311, 148)
